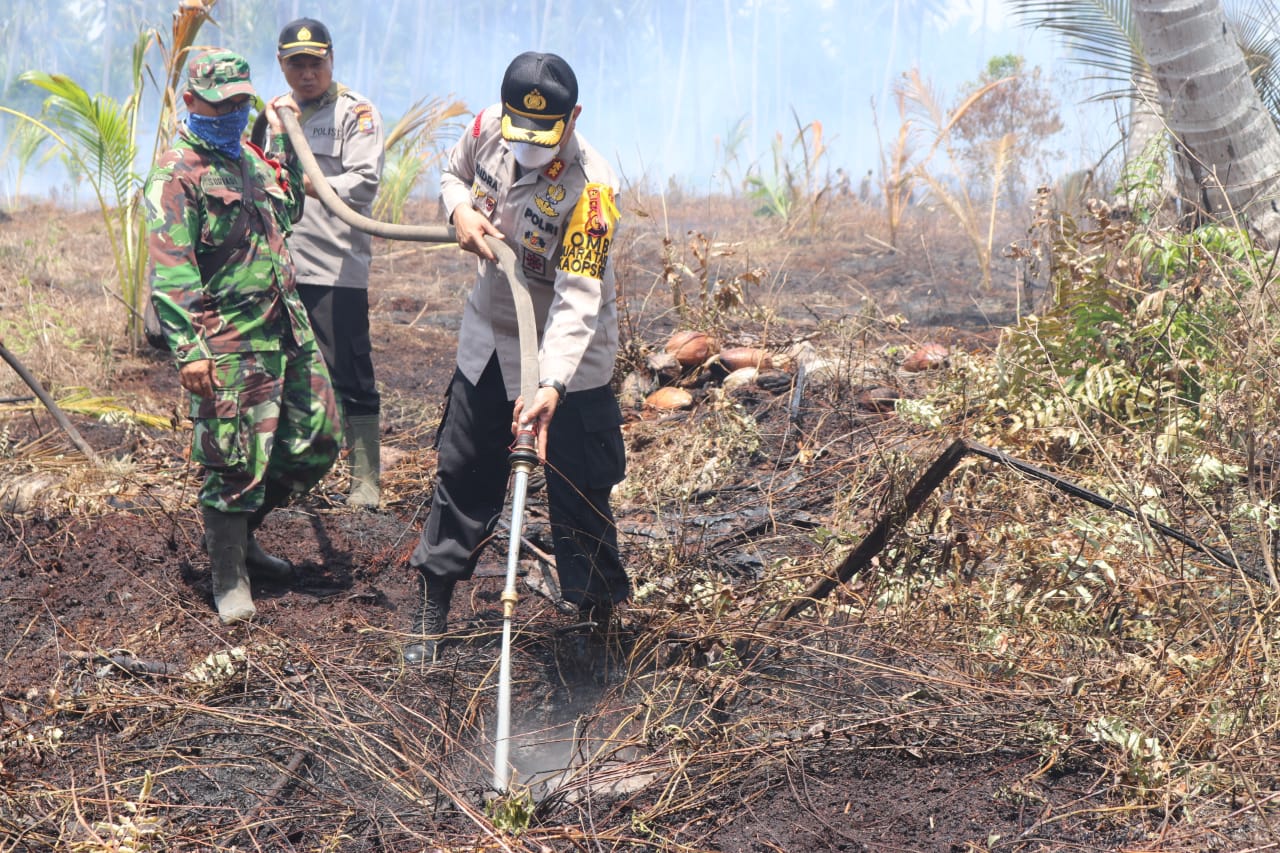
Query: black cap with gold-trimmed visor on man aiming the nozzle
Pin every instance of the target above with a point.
(538, 94)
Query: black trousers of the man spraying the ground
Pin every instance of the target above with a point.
(586, 458)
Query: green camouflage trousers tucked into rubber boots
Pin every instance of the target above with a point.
(272, 426)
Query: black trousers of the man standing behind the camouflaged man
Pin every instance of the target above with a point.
(340, 318)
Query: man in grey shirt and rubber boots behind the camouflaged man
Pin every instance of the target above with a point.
(346, 135)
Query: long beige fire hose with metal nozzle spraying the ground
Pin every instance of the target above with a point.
(524, 457)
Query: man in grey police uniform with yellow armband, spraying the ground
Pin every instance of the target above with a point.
(522, 174)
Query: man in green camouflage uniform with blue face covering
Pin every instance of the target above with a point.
(264, 410)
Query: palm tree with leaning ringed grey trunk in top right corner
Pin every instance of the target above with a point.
(1185, 58)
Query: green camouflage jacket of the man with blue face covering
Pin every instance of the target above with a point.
(193, 200)
